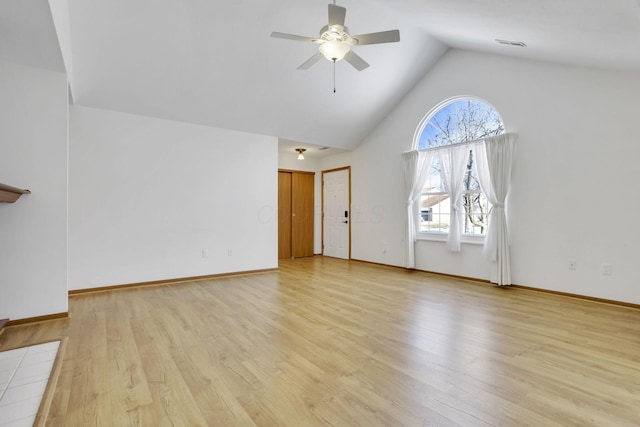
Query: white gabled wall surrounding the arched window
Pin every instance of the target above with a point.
(578, 146)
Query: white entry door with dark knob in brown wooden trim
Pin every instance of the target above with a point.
(336, 214)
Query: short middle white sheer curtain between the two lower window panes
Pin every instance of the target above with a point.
(454, 162)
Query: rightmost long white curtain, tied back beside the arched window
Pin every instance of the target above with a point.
(495, 160)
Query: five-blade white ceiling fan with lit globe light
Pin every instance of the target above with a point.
(336, 43)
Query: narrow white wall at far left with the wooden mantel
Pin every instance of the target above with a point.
(33, 155)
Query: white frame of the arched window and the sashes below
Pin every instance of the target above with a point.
(428, 214)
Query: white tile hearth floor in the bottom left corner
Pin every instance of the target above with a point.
(24, 373)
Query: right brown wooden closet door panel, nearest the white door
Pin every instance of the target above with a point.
(301, 214)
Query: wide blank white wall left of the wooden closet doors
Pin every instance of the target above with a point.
(147, 196)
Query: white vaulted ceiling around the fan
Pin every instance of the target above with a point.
(213, 63)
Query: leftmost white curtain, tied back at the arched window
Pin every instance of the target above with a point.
(416, 166)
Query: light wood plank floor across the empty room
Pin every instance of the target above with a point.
(330, 342)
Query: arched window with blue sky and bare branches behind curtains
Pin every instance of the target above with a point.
(455, 121)
